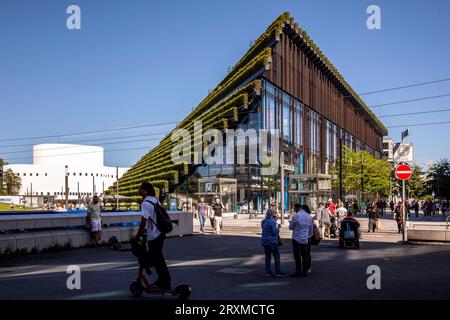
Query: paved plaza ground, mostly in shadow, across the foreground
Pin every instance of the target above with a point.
(231, 266)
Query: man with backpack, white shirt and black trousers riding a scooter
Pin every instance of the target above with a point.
(155, 238)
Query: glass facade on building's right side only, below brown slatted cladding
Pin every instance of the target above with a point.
(311, 142)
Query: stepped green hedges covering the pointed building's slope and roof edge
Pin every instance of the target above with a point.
(220, 107)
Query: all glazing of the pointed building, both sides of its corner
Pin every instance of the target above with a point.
(310, 144)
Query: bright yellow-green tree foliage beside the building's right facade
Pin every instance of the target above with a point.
(362, 170)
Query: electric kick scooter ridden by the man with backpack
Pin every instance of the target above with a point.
(141, 284)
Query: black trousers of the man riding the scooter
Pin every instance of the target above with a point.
(157, 260)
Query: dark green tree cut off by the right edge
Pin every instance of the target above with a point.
(439, 179)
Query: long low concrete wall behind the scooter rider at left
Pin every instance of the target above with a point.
(42, 231)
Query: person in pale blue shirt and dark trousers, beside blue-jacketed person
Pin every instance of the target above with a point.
(302, 230)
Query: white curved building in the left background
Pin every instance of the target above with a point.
(46, 176)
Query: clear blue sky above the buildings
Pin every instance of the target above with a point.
(141, 62)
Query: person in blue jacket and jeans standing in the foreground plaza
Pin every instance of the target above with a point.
(269, 240)
